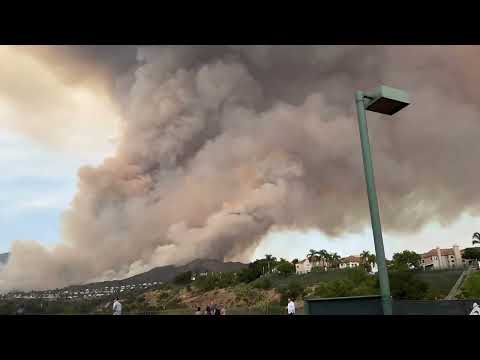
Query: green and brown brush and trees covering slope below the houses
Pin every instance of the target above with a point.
(265, 285)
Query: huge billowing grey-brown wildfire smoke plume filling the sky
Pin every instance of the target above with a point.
(222, 143)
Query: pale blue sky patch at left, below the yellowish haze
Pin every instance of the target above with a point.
(37, 184)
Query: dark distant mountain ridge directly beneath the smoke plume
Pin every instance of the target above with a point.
(168, 273)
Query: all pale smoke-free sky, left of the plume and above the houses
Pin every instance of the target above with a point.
(39, 174)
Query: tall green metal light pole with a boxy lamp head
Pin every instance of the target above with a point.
(384, 100)
